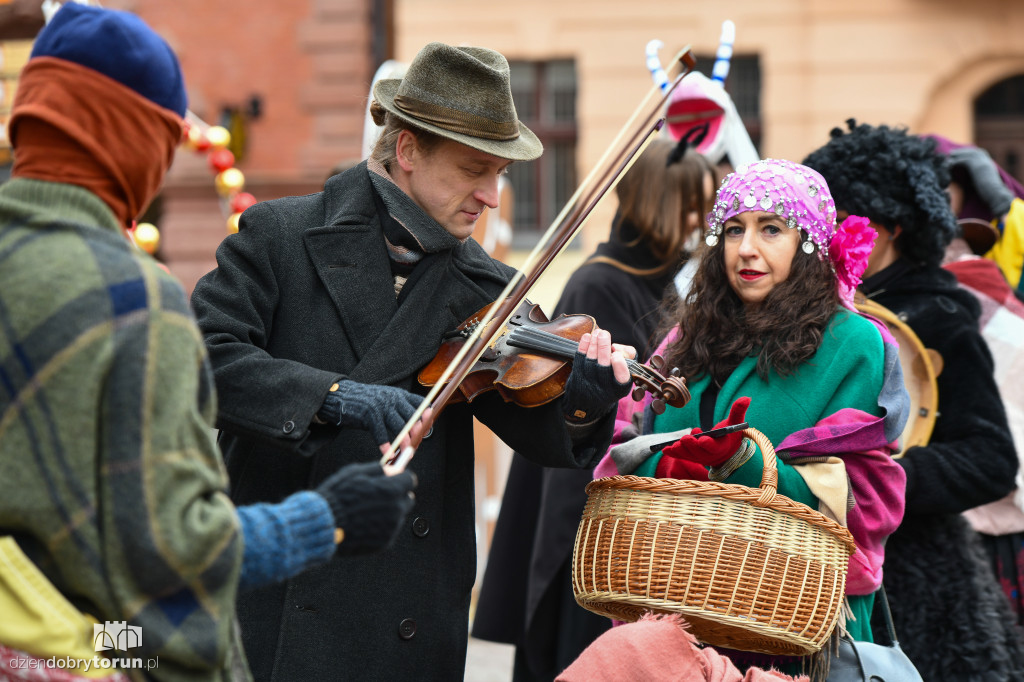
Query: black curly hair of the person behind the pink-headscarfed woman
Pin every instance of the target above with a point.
(893, 179)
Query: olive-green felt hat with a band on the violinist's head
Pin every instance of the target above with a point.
(461, 94)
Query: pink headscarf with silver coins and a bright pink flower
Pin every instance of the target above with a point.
(801, 196)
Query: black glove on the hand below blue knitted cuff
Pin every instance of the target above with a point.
(369, 507)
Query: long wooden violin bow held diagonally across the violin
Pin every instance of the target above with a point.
(630, 141)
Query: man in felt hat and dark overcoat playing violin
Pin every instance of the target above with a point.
(318, 319)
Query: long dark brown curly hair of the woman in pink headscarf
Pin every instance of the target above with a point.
(717, 331)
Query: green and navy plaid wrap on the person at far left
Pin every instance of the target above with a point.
(111, 479)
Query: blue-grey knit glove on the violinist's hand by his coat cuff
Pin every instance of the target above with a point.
(381, 410)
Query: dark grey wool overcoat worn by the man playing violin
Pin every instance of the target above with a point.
(302, 296)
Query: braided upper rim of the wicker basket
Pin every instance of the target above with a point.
(734, 492)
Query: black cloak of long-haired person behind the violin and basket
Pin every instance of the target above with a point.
(527, 595)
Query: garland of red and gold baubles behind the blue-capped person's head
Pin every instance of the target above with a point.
(229, 181)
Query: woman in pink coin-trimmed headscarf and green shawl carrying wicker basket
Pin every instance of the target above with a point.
(769, 334)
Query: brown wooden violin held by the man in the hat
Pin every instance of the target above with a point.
(529, 362)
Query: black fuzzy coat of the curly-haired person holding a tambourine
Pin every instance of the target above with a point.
(950, 613)
